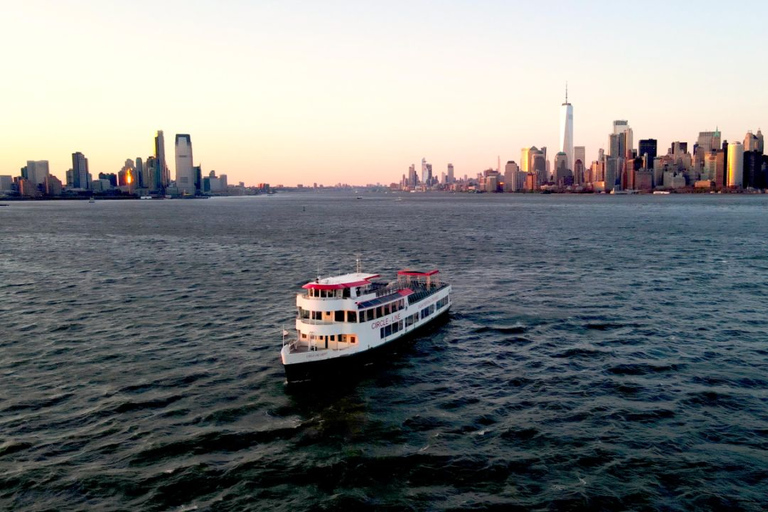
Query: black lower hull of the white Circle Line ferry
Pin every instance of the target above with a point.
(354, 364)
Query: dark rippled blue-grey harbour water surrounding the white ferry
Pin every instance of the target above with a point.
(602, 353)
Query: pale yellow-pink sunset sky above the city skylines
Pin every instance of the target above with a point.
(297, 92)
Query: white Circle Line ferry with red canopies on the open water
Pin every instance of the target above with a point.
(351, 318)
